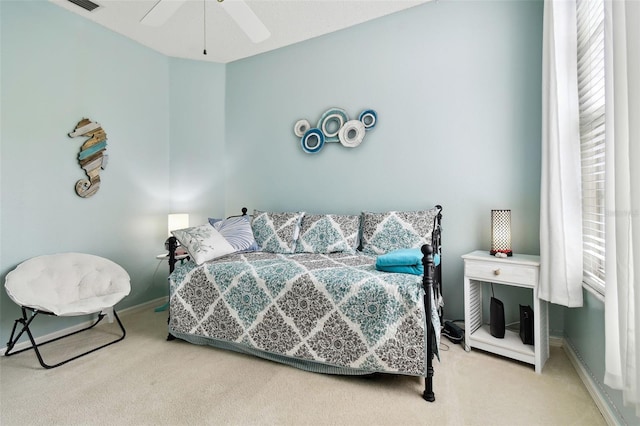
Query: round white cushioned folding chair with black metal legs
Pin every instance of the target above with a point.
(65, 284)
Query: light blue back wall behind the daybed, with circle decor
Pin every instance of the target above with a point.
(456, 86)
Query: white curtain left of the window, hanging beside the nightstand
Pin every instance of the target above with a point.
(560, 192)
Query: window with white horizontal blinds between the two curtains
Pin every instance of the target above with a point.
(591, 94)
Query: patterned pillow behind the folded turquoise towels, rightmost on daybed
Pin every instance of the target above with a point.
(385, 232)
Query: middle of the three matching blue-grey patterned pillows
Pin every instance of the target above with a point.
(328, 233)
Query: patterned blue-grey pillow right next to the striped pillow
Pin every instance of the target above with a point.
(276, 232)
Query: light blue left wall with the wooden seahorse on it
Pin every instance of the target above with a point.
(56, 69)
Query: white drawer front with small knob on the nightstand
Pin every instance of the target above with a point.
(501, 272)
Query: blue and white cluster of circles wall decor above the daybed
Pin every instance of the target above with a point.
(334, 126)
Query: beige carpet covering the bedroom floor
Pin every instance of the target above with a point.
(147, 380)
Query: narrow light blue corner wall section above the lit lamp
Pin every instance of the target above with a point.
(197, 101)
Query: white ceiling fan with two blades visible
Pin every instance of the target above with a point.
(239, 11)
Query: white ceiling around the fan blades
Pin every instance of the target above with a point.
(182, 35)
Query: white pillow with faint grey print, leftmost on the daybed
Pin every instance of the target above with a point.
(203, 243)
